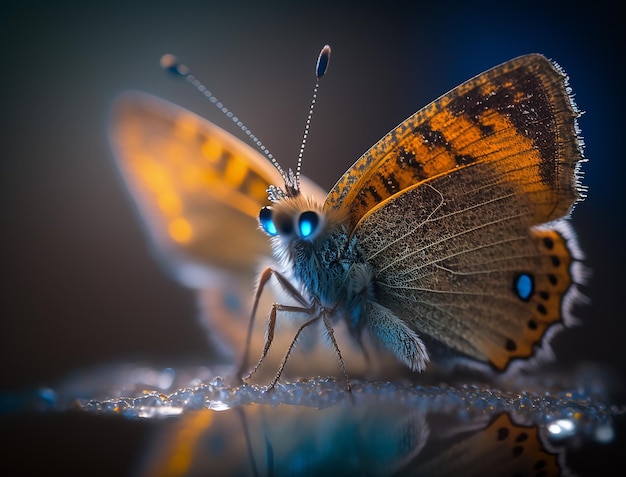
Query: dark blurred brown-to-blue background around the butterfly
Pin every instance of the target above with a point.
(79, 286)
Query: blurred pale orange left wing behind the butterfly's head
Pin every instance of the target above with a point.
(197, 188)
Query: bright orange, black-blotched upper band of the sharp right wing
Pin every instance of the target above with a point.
(520, 110)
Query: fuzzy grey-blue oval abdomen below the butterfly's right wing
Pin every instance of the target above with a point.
(394, 334)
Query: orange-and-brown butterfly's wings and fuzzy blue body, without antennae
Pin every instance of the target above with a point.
(432, 243)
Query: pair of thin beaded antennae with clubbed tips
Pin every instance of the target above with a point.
(292, 181)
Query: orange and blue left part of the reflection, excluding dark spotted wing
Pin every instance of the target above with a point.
(260, 440)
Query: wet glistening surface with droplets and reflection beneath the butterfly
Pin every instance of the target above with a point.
(144, 421)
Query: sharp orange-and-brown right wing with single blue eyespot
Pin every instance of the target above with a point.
(446, 208)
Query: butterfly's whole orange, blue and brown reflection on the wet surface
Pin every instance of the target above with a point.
(392, 440)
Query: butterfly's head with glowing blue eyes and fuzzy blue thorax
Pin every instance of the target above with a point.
(315, 245)
